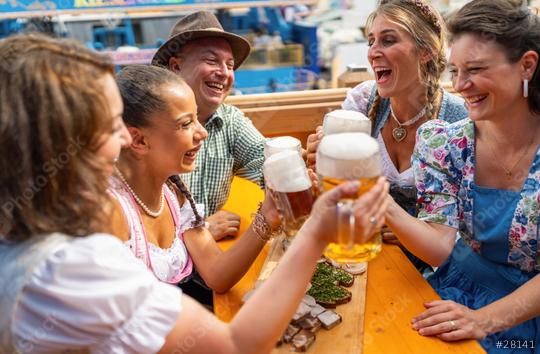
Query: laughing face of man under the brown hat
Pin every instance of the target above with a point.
(207, 66)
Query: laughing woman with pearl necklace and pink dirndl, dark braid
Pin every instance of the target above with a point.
(155, 214)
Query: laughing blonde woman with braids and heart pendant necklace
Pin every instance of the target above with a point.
(407, 52)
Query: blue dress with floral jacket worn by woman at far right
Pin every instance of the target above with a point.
(497, 252)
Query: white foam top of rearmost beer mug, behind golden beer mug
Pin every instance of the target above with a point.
(342, 121)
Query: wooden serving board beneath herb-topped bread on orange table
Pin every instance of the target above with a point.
(345, 338)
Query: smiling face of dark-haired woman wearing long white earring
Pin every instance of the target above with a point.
(483, 75)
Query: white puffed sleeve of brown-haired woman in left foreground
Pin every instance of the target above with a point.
(93, 294)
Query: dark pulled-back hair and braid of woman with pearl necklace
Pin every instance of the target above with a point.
(141, 88)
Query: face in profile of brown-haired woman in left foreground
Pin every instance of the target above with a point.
(112, 142)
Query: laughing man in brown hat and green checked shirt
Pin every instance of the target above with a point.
(206, 56)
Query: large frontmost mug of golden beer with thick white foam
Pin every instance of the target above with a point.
(340, 158)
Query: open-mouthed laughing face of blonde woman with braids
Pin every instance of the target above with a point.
(394, 58)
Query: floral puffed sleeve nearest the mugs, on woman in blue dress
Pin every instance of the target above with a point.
(436, 179)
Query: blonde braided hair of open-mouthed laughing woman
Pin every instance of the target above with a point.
(427, 29)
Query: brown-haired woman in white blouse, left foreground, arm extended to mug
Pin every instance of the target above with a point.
(67, 287)
